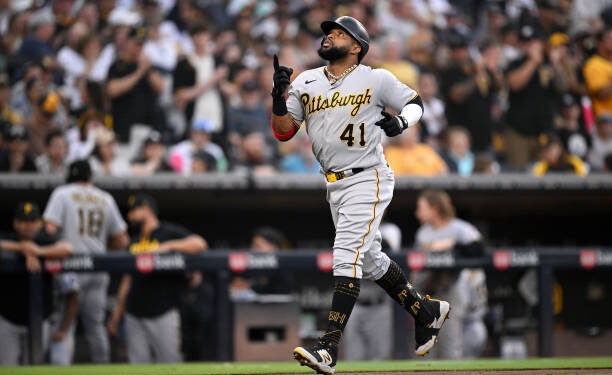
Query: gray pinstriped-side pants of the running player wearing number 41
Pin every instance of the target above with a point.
(357, 204)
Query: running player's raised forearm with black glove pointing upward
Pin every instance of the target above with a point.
(284, 126)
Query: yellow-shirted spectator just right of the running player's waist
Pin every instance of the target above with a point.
(411, 157)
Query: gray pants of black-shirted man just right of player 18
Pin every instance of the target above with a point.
(160, 334)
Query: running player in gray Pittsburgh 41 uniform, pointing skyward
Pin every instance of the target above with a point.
(342, 106)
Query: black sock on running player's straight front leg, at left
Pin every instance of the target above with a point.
(345, 294)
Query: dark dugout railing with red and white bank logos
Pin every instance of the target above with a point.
(225, 263)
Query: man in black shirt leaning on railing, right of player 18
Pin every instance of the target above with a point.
(152, 320)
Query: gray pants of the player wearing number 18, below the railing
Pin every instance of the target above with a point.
(92, 310)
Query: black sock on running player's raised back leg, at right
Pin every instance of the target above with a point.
(397, 286)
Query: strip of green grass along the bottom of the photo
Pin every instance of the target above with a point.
(293, 367)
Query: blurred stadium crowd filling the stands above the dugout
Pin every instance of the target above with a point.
(147, 86)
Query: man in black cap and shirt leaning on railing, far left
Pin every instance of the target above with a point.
(27, 243)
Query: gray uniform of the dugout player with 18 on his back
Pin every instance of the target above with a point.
(88, 216)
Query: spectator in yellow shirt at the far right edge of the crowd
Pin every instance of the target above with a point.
(598, 73)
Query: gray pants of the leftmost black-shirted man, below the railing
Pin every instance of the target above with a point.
(14, 349)
